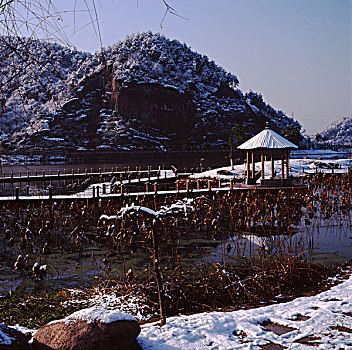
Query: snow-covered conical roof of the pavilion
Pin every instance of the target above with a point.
(267, 139)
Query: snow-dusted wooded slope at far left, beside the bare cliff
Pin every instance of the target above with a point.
(34, 77)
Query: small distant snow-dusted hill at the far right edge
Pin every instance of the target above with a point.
(339, 133)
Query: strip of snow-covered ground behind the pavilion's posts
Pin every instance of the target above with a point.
(298, 167)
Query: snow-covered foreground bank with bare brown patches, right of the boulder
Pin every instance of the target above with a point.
(242, 330)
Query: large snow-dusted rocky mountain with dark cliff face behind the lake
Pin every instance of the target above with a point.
(145, 92)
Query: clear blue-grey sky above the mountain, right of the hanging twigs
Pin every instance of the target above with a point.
(297, 53)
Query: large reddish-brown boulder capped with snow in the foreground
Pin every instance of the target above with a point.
(88, 329)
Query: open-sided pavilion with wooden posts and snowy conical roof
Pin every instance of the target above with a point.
(267, 140)
